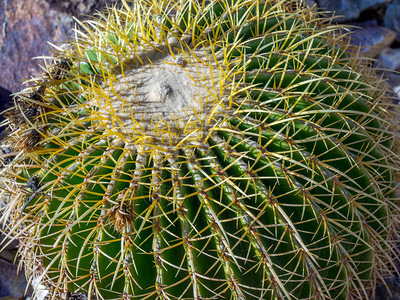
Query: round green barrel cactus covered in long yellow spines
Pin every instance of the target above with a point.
(204, 150)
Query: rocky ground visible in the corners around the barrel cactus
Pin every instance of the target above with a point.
(27, 25)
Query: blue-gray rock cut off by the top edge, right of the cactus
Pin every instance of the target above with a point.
(349, 9)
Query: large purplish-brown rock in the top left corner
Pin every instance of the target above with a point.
(26, 28)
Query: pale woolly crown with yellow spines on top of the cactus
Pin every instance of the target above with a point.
(163, 98)
